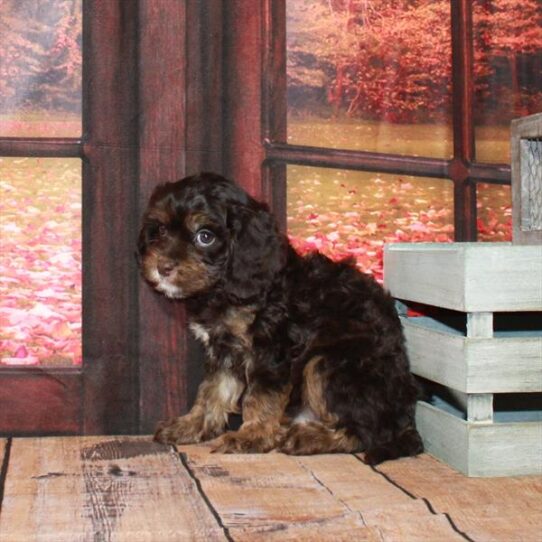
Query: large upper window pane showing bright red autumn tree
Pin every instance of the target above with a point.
(370, 75)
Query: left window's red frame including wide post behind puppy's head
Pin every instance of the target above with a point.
(138, 364)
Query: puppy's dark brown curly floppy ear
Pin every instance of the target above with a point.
(257, 252)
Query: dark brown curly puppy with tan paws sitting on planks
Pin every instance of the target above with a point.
(309, 351)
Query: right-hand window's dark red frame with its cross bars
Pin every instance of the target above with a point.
(463, 170)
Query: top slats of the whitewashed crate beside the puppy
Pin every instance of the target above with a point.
(466, 277)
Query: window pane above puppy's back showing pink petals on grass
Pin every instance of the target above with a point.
(352, 213)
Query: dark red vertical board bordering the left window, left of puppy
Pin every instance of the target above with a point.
(110, 220)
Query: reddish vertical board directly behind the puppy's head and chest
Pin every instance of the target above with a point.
(179, 134)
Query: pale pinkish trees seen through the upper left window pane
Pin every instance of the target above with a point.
(40, 55)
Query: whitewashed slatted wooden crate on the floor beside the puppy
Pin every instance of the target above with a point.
(485, 415)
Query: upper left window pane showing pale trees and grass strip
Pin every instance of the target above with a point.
(40, 68)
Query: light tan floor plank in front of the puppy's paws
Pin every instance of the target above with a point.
(277, 497)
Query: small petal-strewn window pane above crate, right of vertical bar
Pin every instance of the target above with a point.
(494, 212)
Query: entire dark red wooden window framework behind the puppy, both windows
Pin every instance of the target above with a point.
(222, 107)
